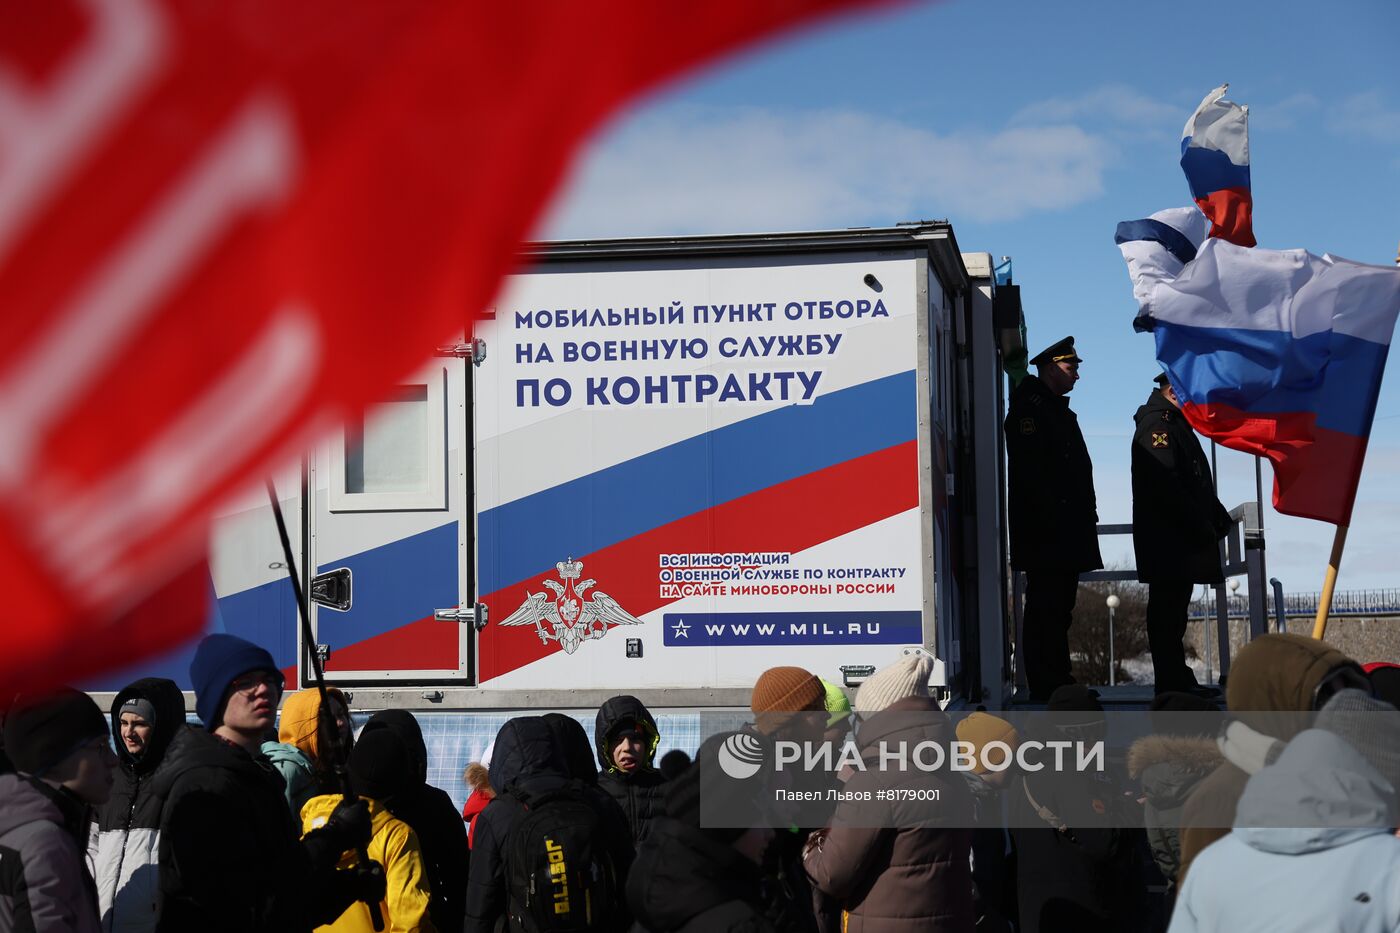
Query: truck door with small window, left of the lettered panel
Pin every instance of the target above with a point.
(390, 501)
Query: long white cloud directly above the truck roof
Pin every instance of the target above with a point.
(708, 170)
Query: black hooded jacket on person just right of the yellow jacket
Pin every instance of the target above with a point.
(433, 817)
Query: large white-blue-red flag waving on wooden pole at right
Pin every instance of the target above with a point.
(1273, 352)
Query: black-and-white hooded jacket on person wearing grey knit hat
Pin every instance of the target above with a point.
(125, 844)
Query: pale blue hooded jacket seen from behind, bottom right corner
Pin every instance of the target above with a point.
(1340, 873)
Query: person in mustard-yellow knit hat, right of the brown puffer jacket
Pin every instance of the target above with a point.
(995, 745)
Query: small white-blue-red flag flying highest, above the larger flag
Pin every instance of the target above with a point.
(1216, 160)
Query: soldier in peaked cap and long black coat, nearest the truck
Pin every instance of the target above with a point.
(1053, 512)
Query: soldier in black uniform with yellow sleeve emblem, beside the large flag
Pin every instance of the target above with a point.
(1177, 529)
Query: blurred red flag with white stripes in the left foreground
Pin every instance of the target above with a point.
(227, 225)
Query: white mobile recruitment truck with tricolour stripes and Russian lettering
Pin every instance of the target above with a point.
(661, 467)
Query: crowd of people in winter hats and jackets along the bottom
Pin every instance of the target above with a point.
(1282, 816)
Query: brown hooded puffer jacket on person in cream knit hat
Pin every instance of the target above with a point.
(892, 866)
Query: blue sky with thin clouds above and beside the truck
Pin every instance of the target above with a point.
(1035, 128)
